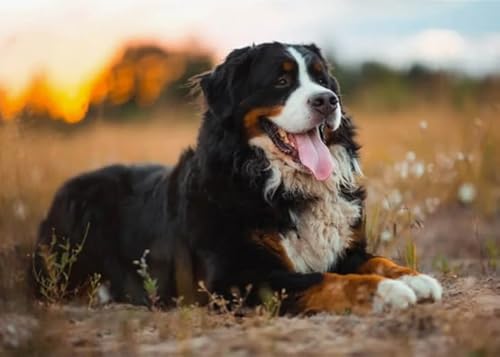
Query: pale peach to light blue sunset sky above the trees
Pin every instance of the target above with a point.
(70, 40)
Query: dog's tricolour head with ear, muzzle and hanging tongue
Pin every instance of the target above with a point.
(280, 98)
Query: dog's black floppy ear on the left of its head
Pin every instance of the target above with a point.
(222, 87)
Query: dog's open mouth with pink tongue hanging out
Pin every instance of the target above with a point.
(307, 149)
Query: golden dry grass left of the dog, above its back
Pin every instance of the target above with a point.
(33, 163)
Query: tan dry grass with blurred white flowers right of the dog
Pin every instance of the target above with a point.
(420, 163)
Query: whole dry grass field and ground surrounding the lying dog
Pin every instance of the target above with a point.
(434, 201)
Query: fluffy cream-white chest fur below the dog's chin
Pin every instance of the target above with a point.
(324, 227)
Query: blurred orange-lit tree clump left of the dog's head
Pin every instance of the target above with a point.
(144, 76)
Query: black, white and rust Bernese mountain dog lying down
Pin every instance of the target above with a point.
(267, 201)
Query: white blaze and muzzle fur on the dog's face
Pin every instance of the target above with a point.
(296, 114)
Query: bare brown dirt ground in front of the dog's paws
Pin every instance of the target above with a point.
(466, 322)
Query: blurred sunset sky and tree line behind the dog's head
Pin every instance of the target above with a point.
(81, 60)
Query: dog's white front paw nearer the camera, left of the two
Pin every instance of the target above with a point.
(393, 294)
